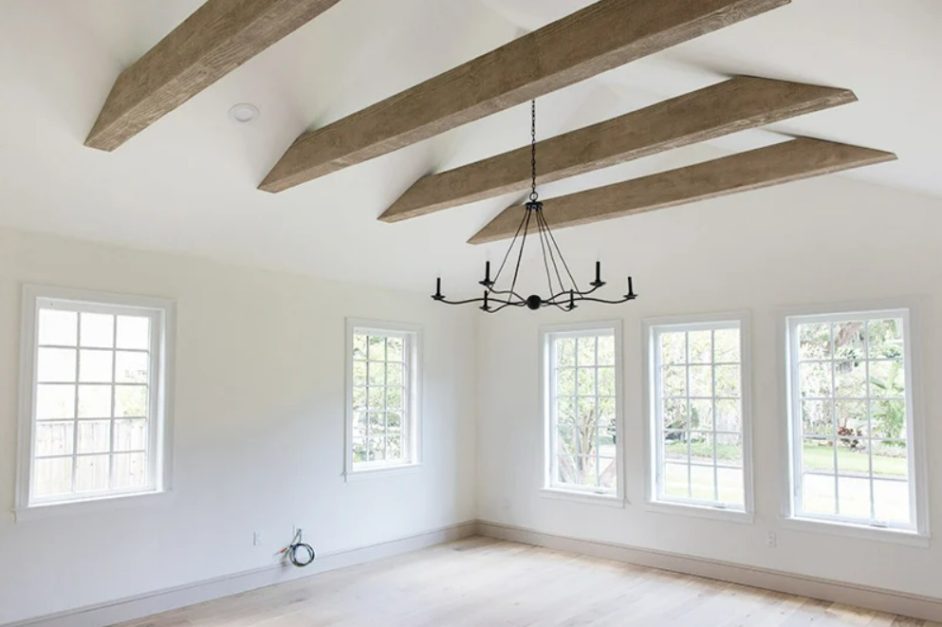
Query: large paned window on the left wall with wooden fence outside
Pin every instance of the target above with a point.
(93, 398)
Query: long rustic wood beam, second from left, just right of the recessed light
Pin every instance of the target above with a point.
(604, 35)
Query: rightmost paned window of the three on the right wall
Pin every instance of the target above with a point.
(851, 419)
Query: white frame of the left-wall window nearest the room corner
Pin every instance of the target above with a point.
(413, 405)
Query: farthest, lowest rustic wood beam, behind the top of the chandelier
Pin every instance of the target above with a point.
(792, 160)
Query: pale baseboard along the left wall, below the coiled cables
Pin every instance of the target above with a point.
(171, 598)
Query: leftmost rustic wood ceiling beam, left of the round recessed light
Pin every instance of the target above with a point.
(217, 38)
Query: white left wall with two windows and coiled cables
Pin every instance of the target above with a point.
(258, 429)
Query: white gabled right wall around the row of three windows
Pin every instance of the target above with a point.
(825, 241)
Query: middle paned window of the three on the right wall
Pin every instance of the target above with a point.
(700, 455)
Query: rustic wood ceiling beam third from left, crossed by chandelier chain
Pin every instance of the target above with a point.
(740, 103)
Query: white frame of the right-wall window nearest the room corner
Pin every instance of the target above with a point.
(548, 414)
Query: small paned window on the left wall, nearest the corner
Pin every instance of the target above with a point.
(382, 429)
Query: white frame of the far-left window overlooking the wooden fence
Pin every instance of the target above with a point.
(161, 313)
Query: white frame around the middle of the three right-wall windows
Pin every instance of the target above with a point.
(697, 322)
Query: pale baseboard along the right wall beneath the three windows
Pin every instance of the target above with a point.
(893, 602)
